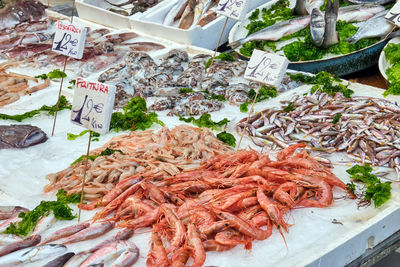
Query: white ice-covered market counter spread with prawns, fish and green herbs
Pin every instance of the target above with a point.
(200, 167)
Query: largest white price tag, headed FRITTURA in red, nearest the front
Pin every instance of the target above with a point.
(93, 105)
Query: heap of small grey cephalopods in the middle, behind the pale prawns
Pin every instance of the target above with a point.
(164, 81)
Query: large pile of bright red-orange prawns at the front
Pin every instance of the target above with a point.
(230, 200)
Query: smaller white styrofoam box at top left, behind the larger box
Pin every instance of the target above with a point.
(96, 11)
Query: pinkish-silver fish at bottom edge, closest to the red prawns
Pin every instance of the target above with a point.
(107, 253)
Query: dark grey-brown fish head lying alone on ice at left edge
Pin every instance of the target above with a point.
(20, 136)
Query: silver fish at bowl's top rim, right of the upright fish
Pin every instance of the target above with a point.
(358, 12)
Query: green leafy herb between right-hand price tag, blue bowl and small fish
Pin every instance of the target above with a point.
(324, 82)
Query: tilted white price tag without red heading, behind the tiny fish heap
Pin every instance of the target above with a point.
(266, 68)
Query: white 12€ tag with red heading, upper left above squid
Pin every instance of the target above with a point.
(69, 39)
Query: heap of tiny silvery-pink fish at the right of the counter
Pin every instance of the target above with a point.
(366, 128)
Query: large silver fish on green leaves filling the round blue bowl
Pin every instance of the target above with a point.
(312, 30)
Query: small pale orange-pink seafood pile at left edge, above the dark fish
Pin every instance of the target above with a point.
(13, 86)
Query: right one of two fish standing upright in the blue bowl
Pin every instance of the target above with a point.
(331, 36)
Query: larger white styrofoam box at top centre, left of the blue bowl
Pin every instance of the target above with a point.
(151, 23)
